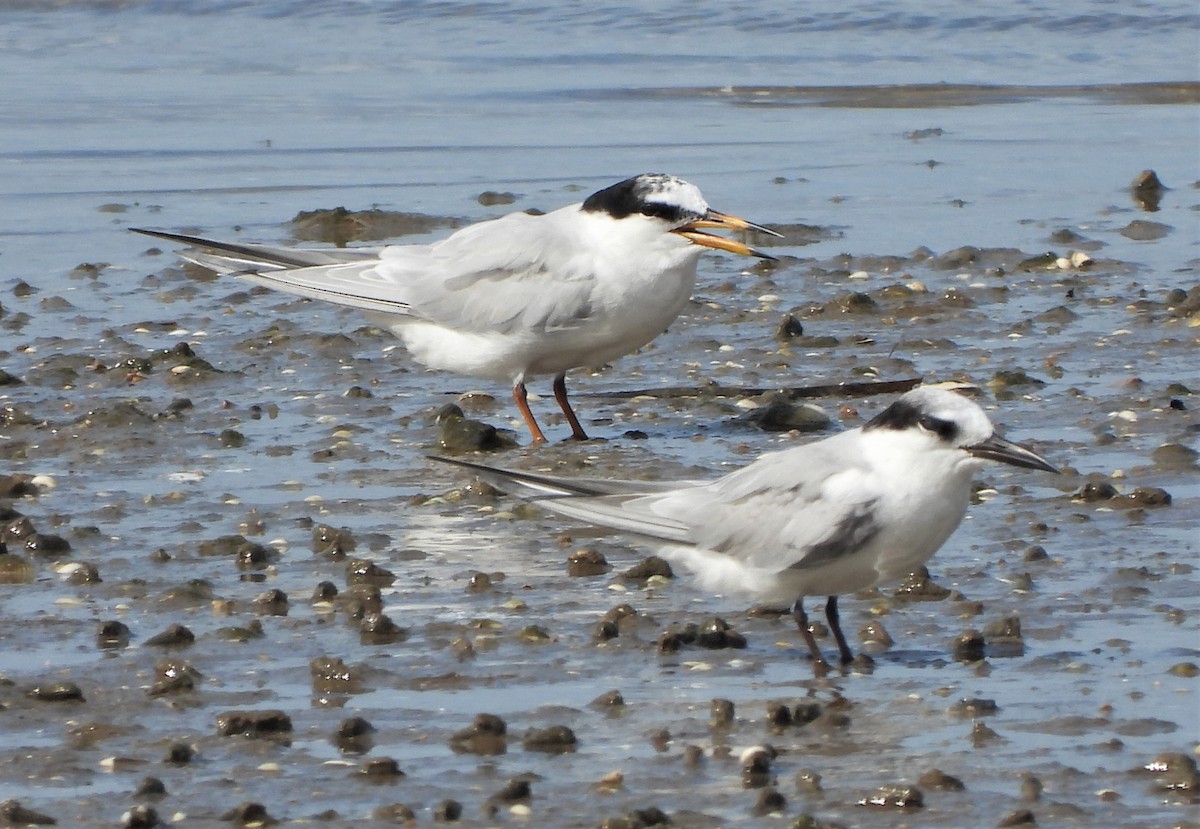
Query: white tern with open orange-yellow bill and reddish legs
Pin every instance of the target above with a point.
(520, 296)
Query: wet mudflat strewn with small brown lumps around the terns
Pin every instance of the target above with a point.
(236, 592)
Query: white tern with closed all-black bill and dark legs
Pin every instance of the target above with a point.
(835, 516)
